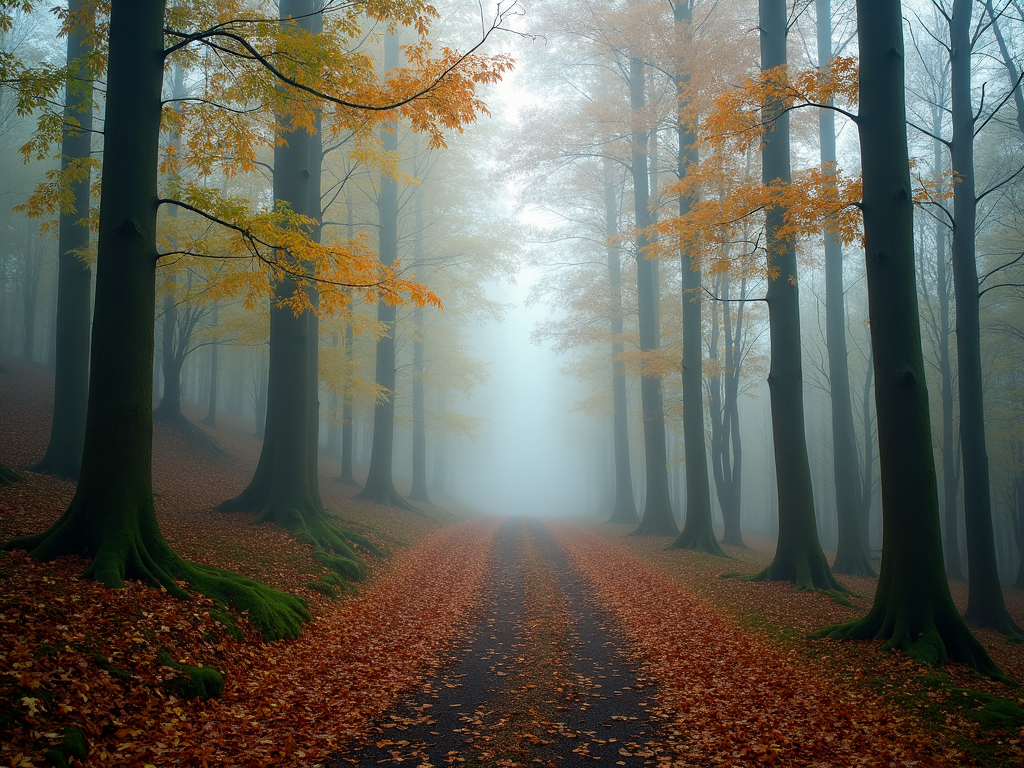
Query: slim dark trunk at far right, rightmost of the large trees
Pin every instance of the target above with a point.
(986, 607)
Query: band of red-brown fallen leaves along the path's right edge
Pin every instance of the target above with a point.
(728, 697)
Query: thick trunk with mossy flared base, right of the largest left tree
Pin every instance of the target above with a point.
(285, 488)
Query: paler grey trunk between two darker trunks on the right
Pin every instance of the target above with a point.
(851, 553)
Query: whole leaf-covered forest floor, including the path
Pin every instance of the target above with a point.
(479, 643)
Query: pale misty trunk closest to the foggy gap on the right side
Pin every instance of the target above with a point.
(624, 510)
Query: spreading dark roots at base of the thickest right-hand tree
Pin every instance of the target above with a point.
(933, 635)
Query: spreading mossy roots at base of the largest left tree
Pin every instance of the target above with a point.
(140, 552)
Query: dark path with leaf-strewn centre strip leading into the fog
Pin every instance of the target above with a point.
(540, 681)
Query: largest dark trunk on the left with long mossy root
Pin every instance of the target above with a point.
(112, 518)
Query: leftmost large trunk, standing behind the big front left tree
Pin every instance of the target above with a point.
(71, 382)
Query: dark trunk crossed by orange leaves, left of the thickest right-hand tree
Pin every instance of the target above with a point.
(798, 557)
